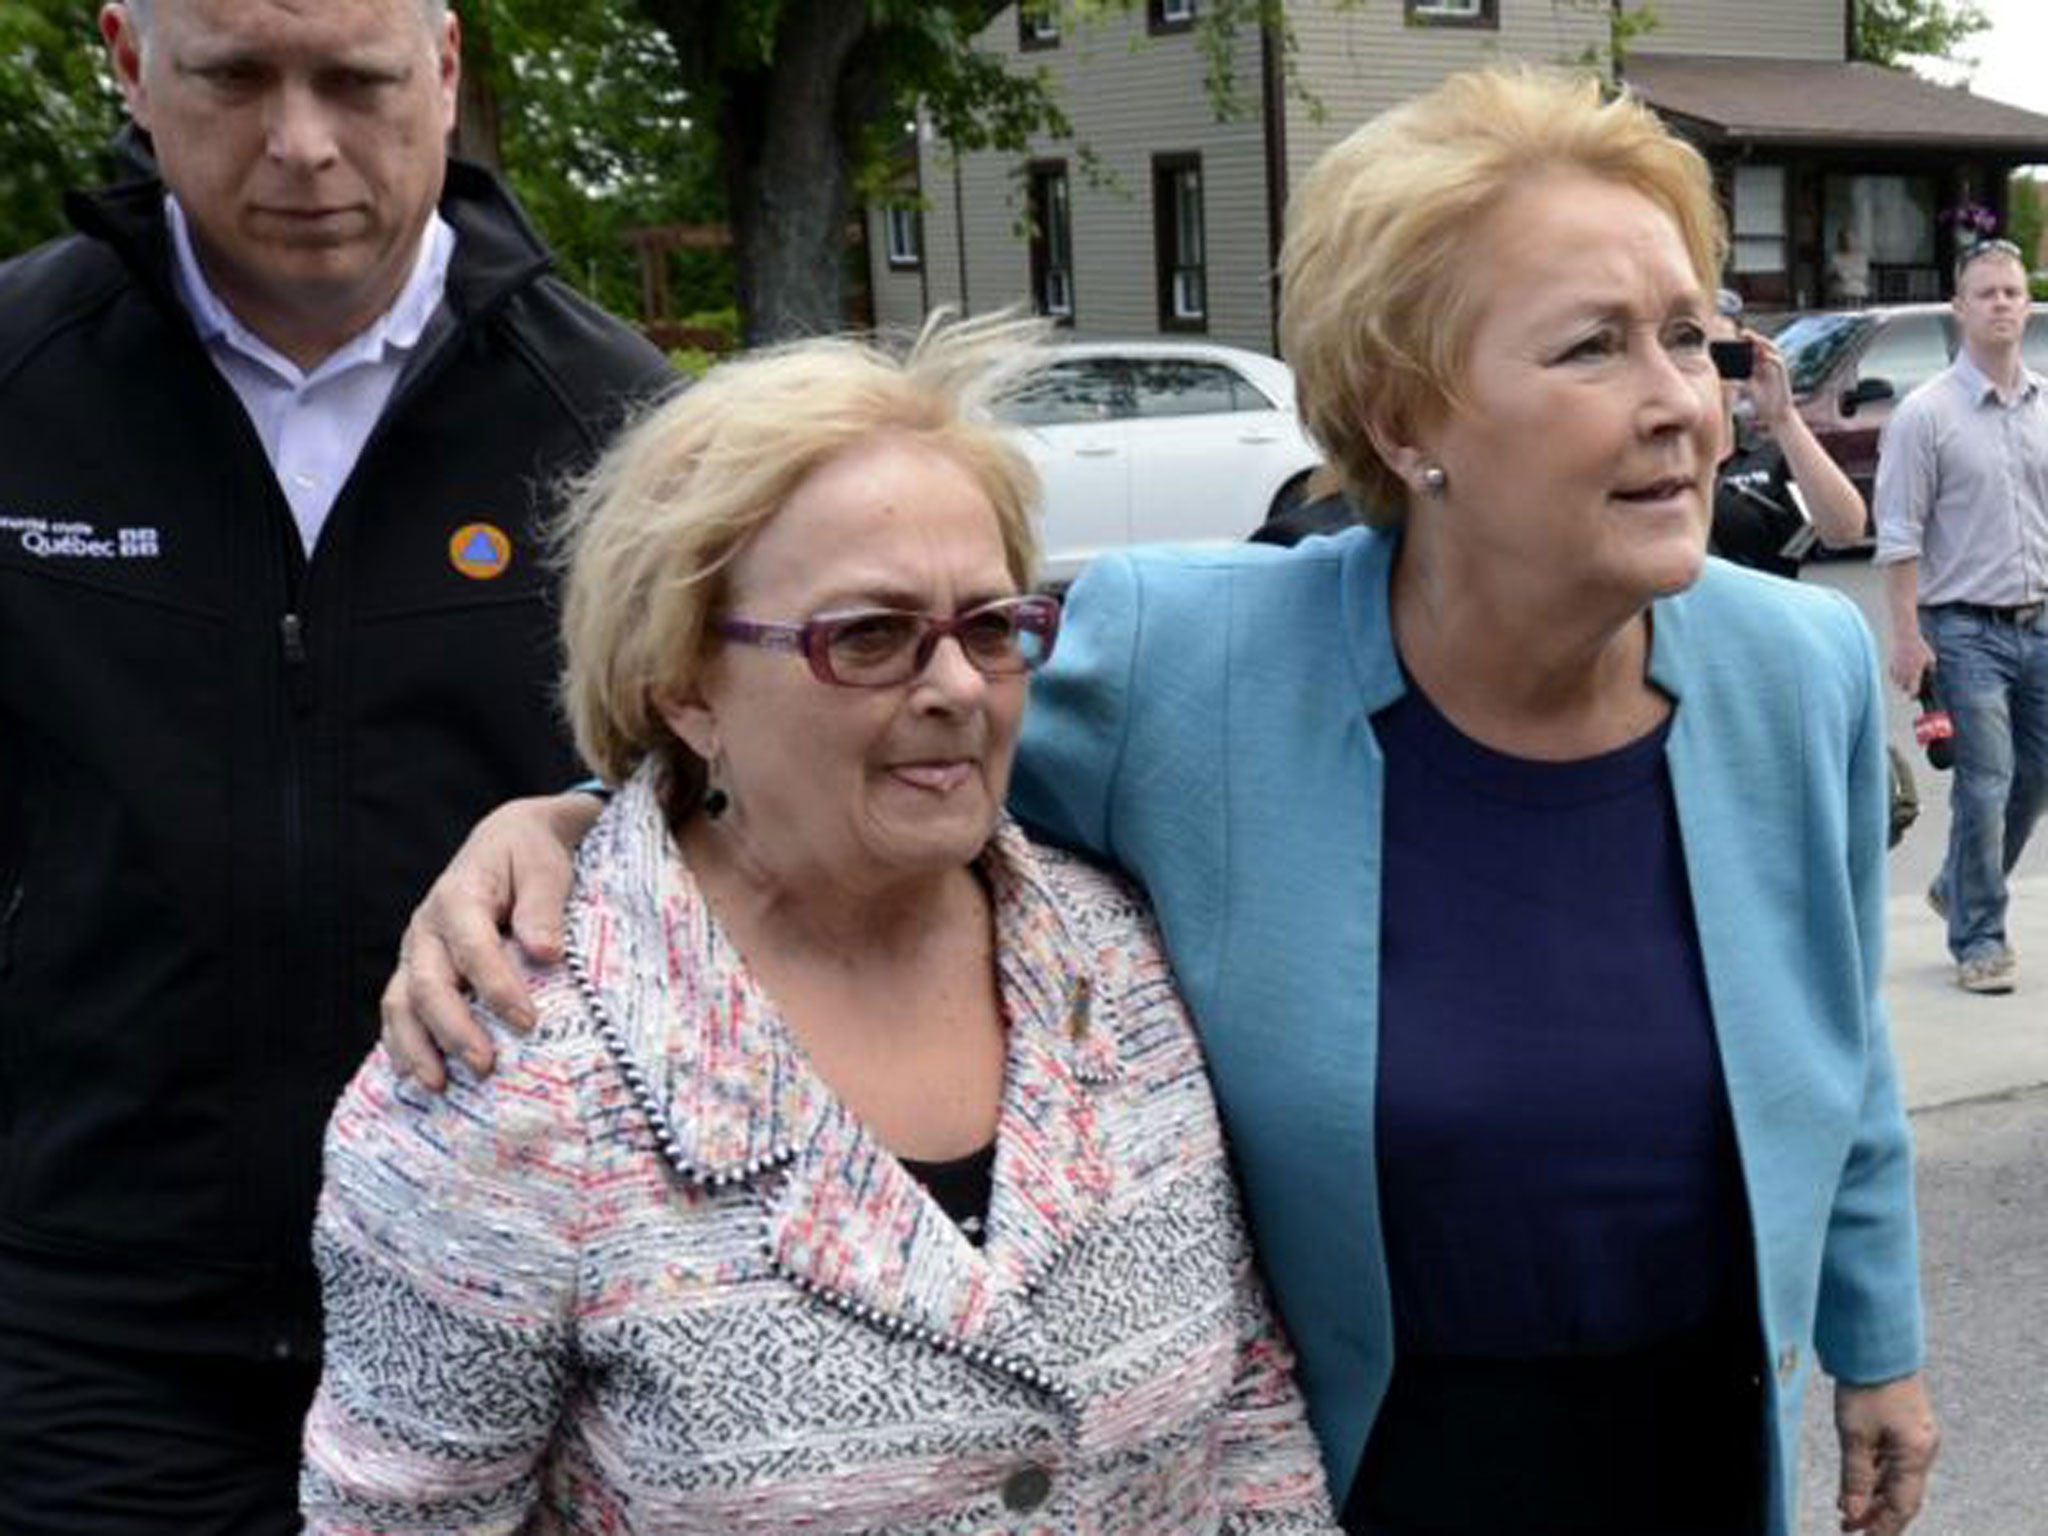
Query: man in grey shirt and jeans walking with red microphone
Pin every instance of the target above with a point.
(1963, 538)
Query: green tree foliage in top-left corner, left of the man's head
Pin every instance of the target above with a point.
(56, 116)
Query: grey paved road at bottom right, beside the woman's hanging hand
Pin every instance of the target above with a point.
(1983, 1195)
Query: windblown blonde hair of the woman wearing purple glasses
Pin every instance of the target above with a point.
(654, 527)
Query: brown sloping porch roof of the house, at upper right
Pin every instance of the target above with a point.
(1822, 103)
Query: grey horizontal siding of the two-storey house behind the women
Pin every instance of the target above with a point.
(1134, 97)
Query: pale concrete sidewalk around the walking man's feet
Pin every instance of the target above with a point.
(1953, 1046)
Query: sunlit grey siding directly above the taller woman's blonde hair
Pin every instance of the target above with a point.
(1365, 58)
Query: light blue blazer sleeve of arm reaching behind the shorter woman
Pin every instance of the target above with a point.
(1080, 712)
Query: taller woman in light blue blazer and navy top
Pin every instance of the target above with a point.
(1523, 867)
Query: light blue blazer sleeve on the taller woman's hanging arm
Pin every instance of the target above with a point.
(1869, 1316)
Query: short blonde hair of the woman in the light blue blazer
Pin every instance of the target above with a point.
(1377, 290)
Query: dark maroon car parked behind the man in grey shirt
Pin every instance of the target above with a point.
(1850, 368)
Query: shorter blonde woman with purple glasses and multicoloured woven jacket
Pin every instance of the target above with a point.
(861, 1172)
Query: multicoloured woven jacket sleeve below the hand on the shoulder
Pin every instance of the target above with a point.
(447, 1261)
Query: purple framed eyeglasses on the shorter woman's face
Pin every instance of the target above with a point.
(880, 648)
